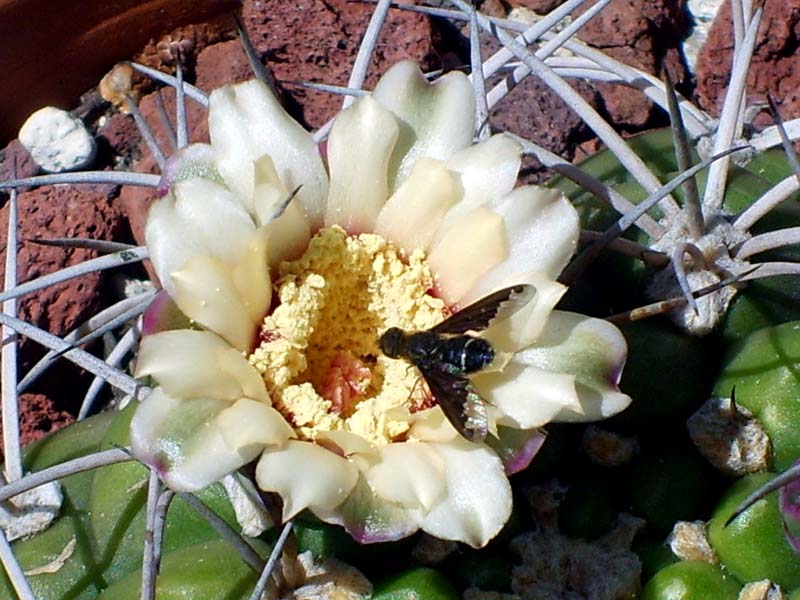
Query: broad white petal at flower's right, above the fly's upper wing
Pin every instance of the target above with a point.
(542, 230)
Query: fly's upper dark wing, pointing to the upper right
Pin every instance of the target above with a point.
(477, 316)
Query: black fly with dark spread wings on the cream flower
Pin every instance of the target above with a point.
(446, 354)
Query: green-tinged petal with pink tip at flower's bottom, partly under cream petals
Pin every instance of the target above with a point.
(370, 519)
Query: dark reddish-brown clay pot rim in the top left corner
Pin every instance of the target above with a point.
(51, 52)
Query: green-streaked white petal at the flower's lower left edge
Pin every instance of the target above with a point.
(181, 440)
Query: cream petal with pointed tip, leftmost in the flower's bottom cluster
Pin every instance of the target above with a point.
(305, 476)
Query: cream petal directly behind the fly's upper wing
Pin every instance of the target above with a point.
(522, 328)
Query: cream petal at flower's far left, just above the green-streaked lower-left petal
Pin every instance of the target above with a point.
(198, 364)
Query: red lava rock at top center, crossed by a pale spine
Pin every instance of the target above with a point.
(317, 40)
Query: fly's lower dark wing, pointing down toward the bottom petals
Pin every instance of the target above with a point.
(462, 405)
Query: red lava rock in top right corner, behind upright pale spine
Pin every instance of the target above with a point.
(773, 69)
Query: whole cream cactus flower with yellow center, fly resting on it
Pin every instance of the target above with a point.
(399, 221)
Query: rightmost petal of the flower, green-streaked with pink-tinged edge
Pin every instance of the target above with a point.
(593, 351)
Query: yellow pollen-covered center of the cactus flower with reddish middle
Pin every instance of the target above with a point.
(319, 353)
